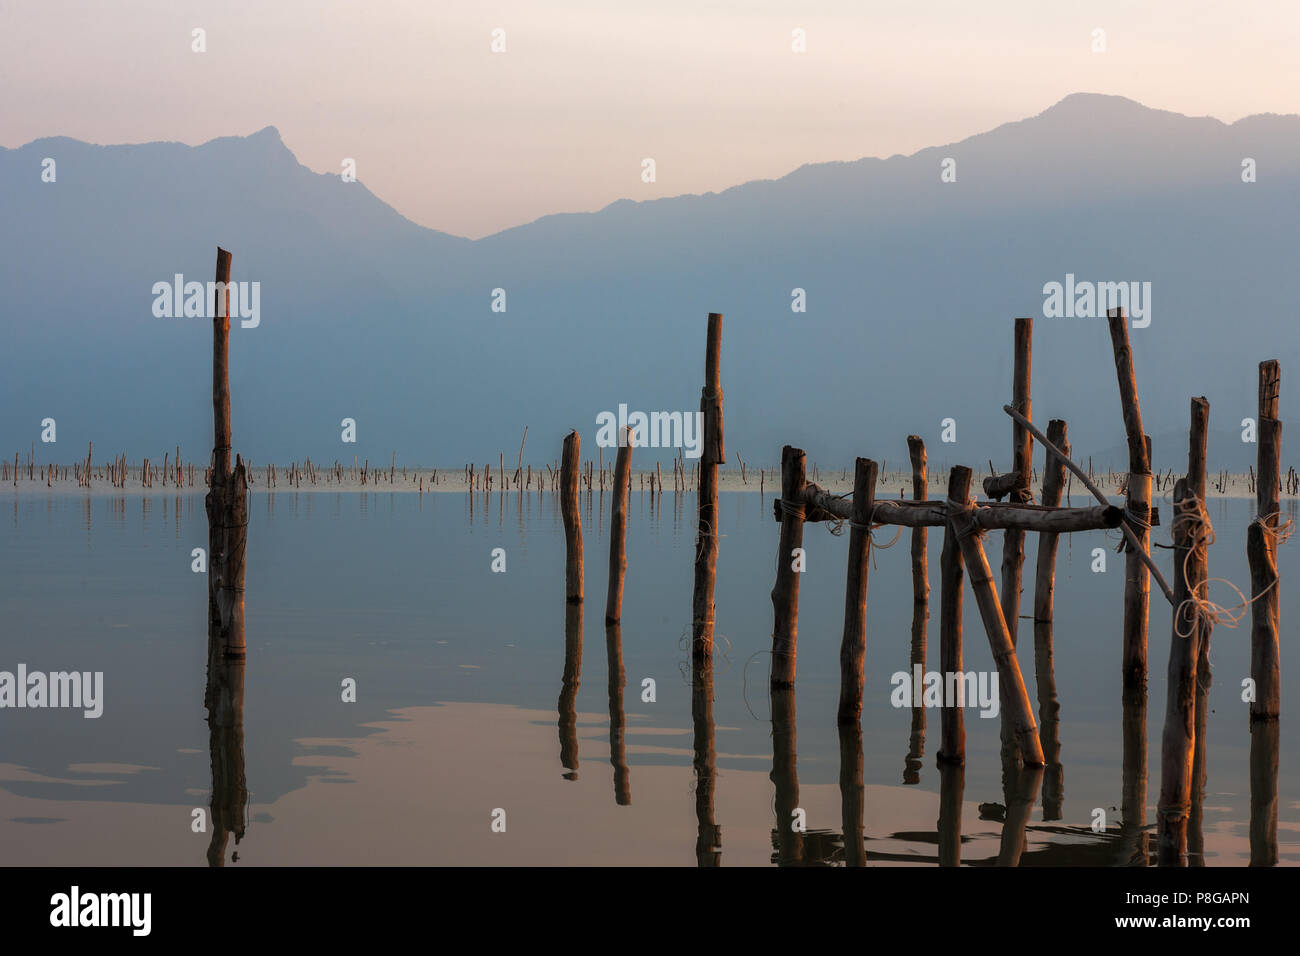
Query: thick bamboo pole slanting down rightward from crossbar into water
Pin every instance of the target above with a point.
(1020, 711)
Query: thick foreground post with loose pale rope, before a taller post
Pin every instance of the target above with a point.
(1176, 756)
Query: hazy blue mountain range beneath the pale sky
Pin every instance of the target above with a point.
(912, 285)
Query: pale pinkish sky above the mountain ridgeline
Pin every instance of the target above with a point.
(471, 142)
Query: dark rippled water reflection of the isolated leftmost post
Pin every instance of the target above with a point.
(224, 700)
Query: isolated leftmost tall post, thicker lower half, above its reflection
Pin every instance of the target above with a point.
(227, 501)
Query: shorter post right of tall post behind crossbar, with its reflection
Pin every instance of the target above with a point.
(1045, 669)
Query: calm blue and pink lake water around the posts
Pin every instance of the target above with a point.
(462, 719)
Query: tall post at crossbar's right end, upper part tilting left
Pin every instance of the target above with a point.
(1138, 508)
